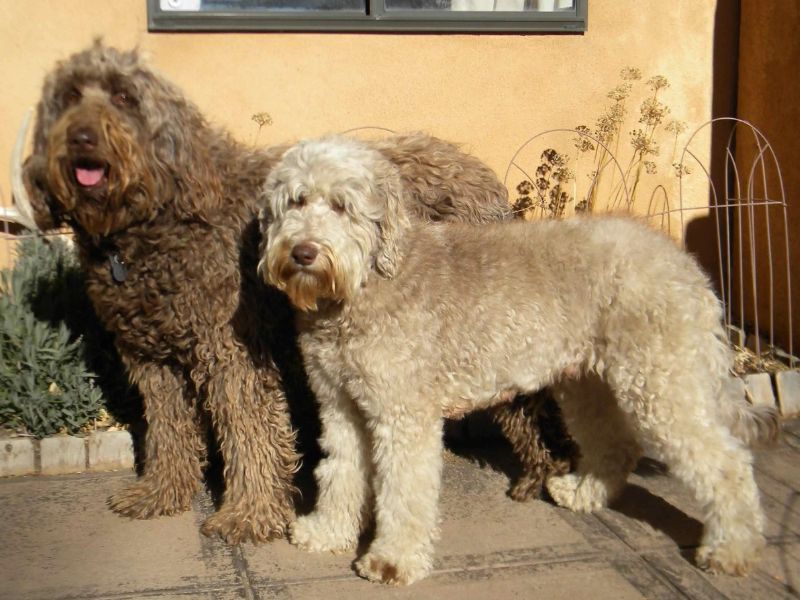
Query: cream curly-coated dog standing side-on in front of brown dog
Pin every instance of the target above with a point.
(401, 325)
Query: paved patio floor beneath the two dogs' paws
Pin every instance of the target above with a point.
(58, 541)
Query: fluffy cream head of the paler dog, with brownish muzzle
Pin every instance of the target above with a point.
(333, 213)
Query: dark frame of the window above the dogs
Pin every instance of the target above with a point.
(377, 19)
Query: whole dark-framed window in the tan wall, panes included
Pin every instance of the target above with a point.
(513, 16)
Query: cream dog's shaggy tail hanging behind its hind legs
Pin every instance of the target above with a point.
(751, 424)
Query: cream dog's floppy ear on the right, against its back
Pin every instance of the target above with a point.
(395, 220)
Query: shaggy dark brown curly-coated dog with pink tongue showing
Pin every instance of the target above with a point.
(163, 210)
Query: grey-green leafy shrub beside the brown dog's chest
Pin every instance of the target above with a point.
(58, 367)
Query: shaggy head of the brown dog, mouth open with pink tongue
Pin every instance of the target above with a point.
(115, 145)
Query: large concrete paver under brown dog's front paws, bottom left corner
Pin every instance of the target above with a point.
(61, 541)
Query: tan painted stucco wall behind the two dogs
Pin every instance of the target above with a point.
(489, 92)
